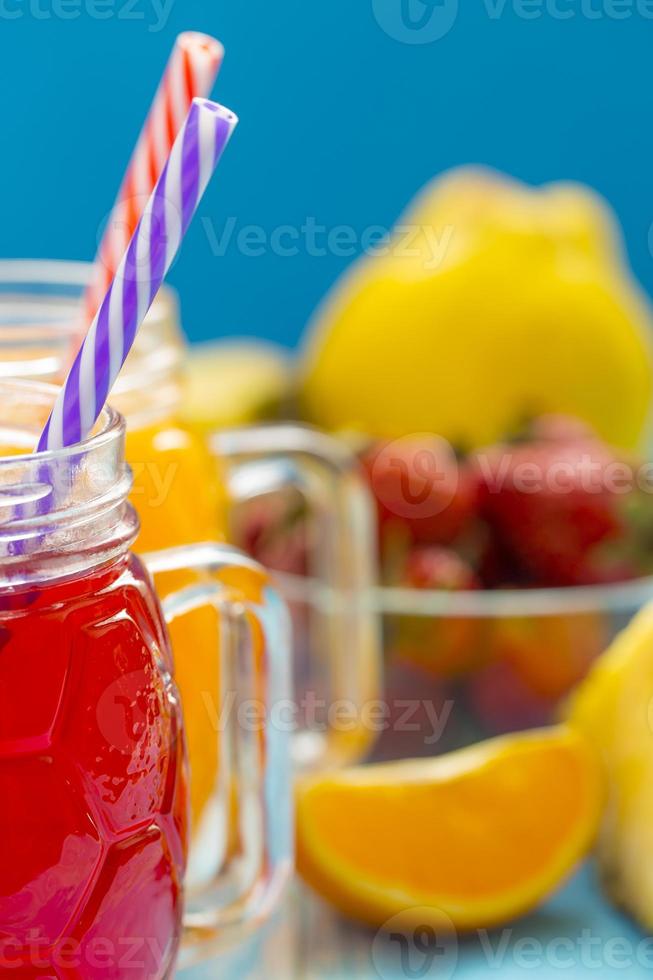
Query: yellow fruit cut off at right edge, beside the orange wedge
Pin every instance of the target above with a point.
(614, 709)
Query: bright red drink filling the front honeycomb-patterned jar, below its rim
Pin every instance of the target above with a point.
(92, 783)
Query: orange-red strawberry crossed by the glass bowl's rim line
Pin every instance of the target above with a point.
(443, 645)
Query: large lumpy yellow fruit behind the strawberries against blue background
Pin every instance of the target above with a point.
(495, 302)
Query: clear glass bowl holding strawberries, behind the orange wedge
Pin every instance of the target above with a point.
(460, 667)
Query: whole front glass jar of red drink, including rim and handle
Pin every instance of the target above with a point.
(94, 822)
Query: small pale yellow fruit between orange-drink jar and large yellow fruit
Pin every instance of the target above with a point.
(234, 383)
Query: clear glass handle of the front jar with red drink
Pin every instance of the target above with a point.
(254, 756)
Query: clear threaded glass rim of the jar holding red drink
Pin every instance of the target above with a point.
(65, 510)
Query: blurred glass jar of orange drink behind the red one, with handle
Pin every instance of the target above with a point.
(185, 490)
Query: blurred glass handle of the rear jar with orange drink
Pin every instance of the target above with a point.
(346, 639)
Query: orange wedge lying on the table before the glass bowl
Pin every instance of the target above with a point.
(473, 838)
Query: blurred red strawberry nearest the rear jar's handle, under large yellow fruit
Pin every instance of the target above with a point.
(419, 484)
